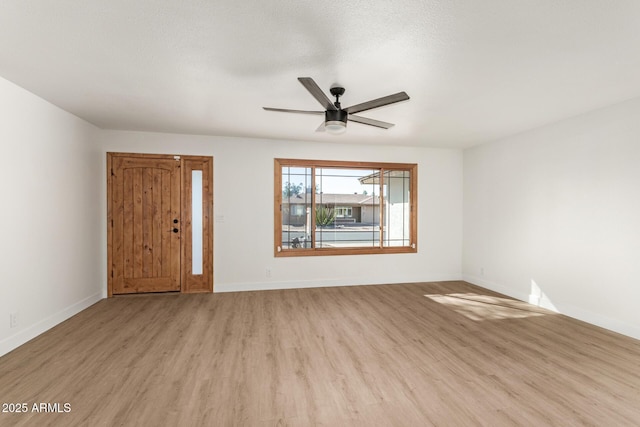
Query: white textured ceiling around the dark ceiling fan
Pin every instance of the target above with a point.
(476, 71)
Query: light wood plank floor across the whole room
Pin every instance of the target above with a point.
(444, 354)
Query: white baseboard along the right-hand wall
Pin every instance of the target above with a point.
(596, 319)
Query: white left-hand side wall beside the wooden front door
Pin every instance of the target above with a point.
(51, 190)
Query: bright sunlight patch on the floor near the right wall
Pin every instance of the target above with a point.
(486, 307)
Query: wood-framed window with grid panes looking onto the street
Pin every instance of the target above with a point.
(336, 208)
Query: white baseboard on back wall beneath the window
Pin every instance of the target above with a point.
(300, 284)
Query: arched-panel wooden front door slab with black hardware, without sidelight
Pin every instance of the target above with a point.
(145, 211)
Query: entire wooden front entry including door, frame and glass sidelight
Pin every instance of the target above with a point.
(159, 223)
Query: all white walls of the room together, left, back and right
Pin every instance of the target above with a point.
(550, 216)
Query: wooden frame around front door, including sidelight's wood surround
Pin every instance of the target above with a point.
(189, 283)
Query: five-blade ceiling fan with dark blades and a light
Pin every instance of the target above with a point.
(335, 117)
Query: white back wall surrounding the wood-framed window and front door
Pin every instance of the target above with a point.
(243, 181)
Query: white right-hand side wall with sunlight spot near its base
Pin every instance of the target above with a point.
(553, 216)
